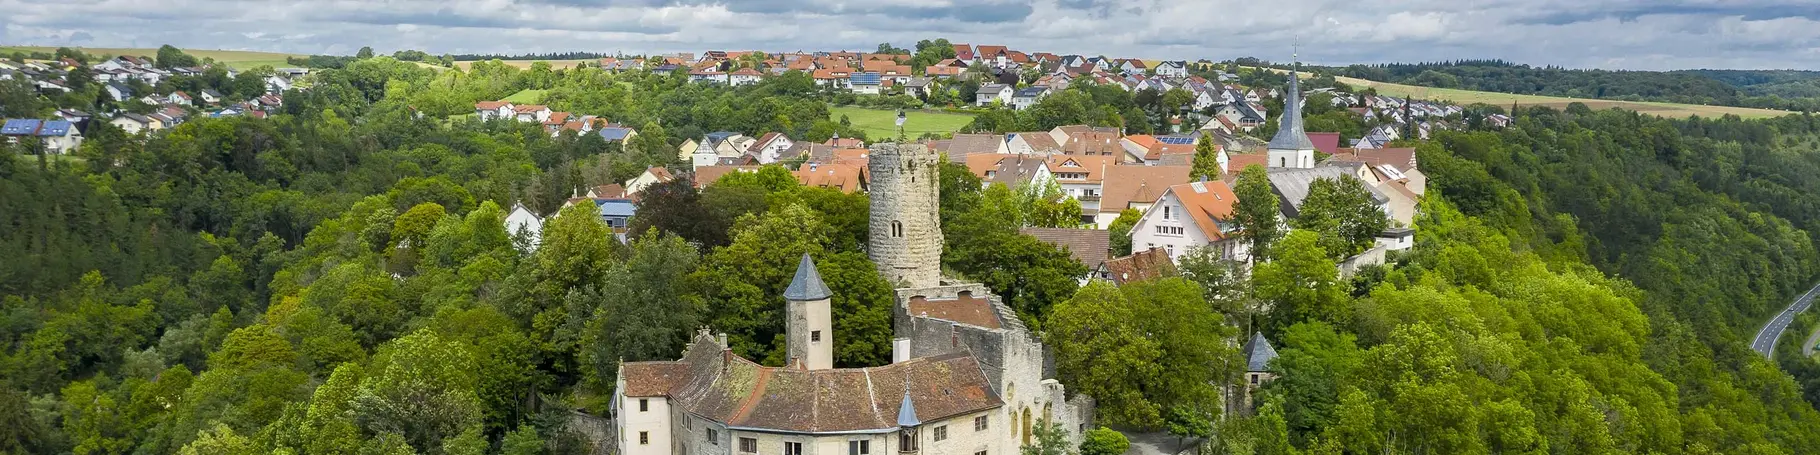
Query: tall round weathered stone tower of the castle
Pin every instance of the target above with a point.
(905, 239)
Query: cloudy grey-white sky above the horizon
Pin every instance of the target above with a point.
(1572, 34)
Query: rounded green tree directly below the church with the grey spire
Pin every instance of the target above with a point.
(1344, 214)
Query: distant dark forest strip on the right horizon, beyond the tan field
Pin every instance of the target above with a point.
(1772, 90)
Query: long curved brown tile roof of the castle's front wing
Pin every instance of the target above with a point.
(738, 392)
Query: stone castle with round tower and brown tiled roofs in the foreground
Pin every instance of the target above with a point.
(967, 378)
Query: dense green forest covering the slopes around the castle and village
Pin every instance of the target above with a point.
(338, 279)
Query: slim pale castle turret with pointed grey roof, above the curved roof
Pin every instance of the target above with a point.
(809, 319)
